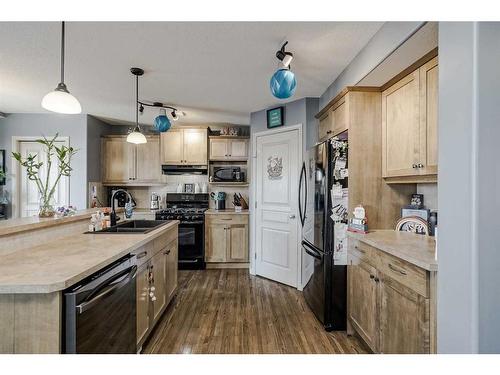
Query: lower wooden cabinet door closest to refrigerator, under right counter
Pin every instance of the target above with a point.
(362, 309)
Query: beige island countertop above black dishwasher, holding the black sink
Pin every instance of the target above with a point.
(56, 265)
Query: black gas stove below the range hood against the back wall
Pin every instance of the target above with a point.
(189, 210)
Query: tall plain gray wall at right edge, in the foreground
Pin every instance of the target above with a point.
(468, 196)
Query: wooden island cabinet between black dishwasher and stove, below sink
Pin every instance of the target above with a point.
(156, 284)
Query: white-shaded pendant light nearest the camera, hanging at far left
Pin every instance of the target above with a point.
(60, 100)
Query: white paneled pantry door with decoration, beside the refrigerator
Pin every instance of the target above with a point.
(277, 221)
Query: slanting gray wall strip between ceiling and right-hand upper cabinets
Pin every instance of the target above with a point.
(382, 44)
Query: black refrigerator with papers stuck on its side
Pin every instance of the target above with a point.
(326, 289)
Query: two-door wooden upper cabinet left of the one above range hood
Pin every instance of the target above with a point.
(128, 164)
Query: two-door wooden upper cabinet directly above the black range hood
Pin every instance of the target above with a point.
(184, 146)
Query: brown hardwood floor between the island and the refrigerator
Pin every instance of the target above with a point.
(229, 311)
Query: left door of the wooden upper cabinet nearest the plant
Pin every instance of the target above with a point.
(118, 160)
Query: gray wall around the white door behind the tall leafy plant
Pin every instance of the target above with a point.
(72, 126)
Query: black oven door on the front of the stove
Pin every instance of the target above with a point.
(191, 244)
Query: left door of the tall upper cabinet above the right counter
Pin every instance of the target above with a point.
(400, 127)
